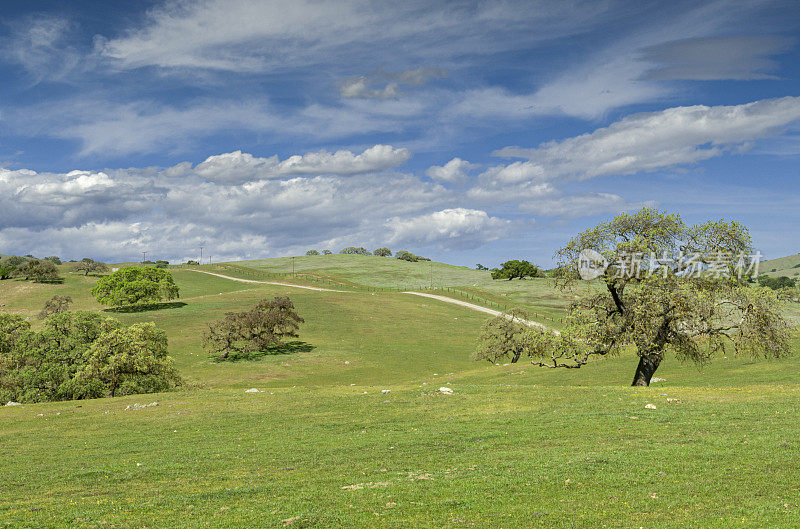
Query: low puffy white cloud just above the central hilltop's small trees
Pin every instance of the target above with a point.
(449, 228)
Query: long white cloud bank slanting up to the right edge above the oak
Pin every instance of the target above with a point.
(651, 141)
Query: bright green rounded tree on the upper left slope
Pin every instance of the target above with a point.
(132, 285)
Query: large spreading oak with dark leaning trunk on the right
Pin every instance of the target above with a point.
(665, 289)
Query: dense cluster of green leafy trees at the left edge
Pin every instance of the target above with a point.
(81, 355)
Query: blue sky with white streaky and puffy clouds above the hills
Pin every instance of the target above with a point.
(468, 132)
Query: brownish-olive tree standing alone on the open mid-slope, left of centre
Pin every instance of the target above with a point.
(240, 334)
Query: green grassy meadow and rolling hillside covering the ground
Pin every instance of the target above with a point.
(322, 444)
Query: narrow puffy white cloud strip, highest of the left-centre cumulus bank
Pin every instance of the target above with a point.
(238, 167)
